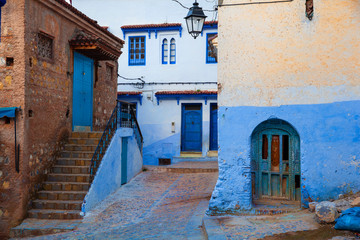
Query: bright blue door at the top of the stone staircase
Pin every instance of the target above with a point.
(82, 93)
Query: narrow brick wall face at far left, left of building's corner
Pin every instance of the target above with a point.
(13, 196)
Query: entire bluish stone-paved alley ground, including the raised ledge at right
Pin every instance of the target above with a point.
(170, 202)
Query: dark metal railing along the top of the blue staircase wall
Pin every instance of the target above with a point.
(123, 115)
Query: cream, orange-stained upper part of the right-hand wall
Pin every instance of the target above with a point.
(274, 51)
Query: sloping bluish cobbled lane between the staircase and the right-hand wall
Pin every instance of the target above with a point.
(154, 205)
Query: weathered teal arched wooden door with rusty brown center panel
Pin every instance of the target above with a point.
(275, 161)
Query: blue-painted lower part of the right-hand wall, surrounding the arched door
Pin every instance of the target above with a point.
(329, 143)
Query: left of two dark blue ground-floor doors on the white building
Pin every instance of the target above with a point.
(191, 127)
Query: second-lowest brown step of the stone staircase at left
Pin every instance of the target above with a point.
(57, 204)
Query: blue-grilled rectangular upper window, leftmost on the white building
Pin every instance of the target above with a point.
(137, 51)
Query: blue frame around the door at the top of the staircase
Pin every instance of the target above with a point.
(81, 56)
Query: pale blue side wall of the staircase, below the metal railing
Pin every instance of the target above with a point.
(108, 176)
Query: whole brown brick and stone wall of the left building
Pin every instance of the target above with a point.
(43, 90)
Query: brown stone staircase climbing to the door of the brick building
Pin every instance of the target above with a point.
(67, 184)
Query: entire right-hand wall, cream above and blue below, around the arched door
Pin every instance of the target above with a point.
(275, 63)
